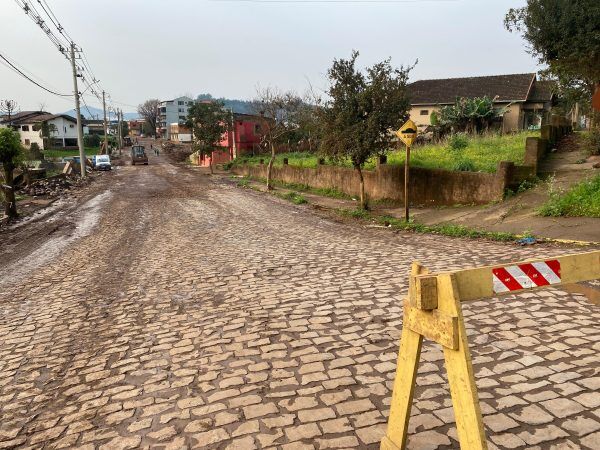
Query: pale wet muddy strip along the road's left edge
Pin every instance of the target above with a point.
(84, 219)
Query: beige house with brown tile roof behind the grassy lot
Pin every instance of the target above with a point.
(525, 99)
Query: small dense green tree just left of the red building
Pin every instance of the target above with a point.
(208, 122)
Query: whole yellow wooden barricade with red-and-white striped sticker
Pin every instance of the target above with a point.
(433, 310)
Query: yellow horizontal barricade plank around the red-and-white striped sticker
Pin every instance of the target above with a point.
(476, 283)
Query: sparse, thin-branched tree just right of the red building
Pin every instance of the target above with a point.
(279, 113)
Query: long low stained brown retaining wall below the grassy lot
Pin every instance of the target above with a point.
(427, 186)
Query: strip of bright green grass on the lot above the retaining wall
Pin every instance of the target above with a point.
(481, 154)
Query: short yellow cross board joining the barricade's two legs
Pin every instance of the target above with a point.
(435, 325)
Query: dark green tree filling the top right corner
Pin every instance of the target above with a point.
(564, 35)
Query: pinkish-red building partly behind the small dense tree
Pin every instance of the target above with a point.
(242, 139)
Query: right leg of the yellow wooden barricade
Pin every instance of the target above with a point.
(465, 401)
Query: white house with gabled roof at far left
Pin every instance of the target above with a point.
(61, 129)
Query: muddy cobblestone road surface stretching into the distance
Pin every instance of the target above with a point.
(200, 315)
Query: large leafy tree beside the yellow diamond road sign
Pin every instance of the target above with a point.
(362, 110)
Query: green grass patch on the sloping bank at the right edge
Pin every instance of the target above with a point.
(582, 200)
